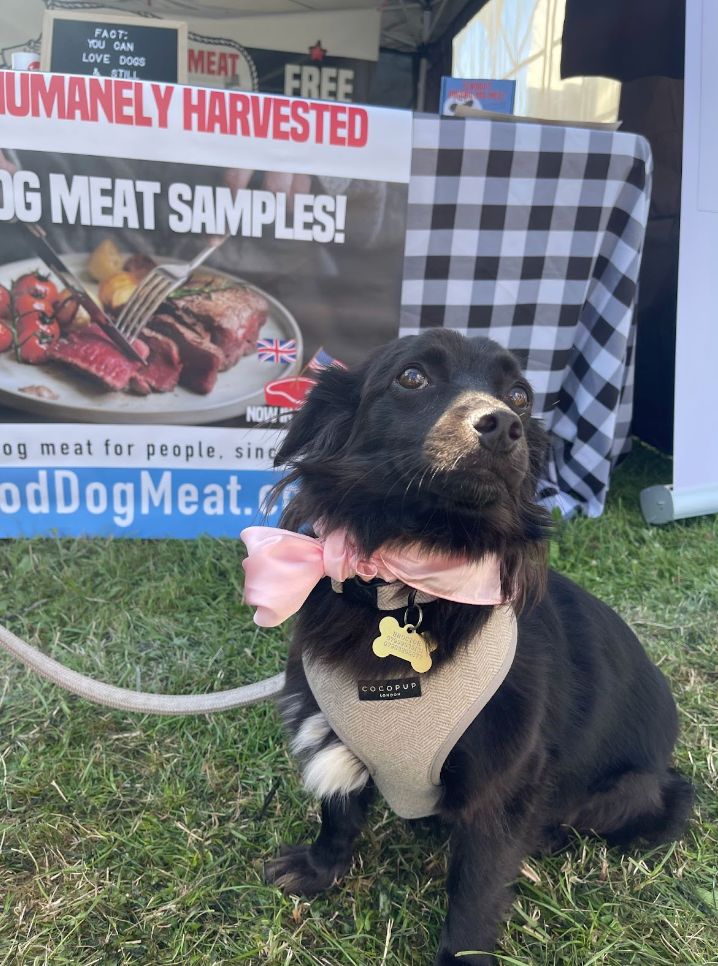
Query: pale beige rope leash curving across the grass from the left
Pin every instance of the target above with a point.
(126, 699)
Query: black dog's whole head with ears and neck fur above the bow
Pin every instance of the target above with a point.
(430, 425)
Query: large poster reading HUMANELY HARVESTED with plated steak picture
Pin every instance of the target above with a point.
(176, 264)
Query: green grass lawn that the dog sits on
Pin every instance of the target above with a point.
(140, 840)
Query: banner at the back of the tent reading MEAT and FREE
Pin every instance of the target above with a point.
(308, 54)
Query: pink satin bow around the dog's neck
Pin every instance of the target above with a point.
(283, 568)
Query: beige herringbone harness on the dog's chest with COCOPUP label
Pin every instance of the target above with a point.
(403, 737)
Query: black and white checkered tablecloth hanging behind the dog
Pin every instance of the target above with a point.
(532, 235)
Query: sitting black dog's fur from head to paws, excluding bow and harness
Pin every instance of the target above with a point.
(432, 441)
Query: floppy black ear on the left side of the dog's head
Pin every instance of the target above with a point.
(323, 424)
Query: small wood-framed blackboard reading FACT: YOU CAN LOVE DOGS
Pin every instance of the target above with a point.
(123, 47)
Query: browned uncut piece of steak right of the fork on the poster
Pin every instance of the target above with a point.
(232, 316)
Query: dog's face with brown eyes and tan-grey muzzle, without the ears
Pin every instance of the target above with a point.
(463, 408)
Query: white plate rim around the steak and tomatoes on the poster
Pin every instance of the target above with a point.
(77, 398)
